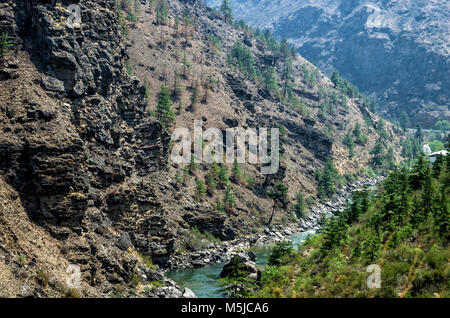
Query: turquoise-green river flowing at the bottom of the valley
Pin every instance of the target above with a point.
(203, 281)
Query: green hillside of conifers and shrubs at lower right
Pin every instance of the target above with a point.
(403, 227)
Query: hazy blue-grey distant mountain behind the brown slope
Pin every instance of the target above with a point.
(397, 52)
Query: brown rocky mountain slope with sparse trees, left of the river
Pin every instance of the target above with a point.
(85, 176)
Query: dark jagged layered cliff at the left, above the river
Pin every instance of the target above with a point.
(74, 131)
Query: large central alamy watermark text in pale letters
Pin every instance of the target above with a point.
(209, 146)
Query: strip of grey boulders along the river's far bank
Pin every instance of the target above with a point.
(221, 253)
